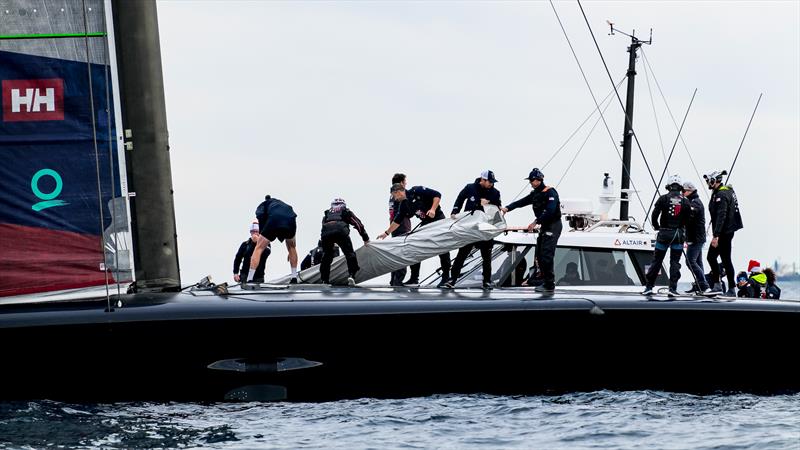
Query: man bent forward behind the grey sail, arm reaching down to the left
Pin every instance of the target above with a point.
(423, 203)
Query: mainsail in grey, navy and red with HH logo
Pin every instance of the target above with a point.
(63, 200)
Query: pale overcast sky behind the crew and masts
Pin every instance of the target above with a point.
(308, 101)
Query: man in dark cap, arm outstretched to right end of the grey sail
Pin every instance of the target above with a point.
(547, 209)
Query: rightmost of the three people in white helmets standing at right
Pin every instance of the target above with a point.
(725, 221)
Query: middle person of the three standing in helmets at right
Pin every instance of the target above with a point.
(695, 238)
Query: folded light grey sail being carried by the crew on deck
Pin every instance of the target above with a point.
(380, 257)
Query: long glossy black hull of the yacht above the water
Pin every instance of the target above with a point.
(389, 344)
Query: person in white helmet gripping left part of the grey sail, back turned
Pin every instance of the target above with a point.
(336, 223)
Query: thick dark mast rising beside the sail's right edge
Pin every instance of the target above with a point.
(144, 120)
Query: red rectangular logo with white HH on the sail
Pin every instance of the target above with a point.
(33, 100)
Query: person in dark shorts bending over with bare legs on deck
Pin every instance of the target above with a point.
(276, 220)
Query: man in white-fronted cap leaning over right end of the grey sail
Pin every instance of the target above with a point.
(476, 195)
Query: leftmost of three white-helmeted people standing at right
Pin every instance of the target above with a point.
(669, 218)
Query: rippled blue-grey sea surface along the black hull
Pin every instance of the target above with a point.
(593, 420)
